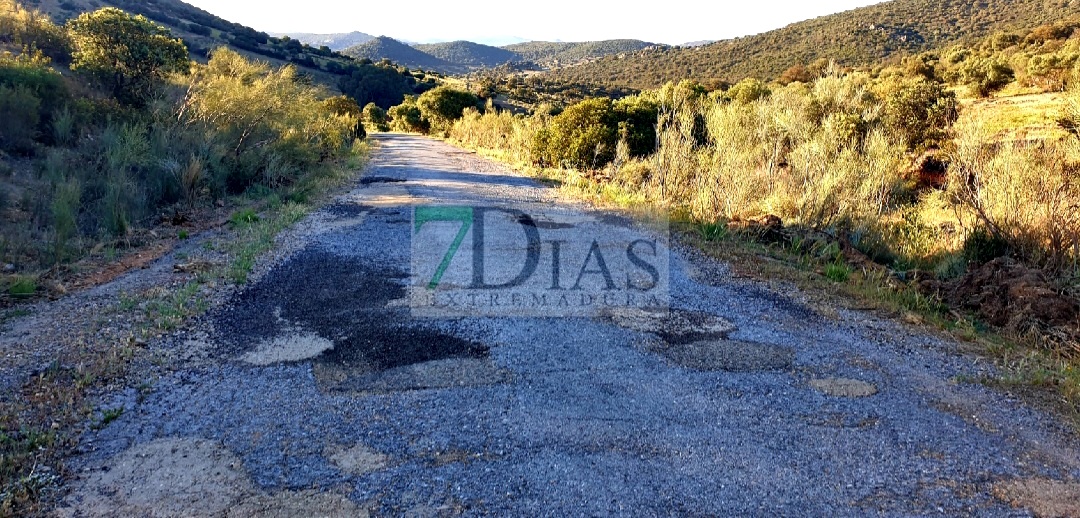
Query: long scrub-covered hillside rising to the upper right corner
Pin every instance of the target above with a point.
(854, 38)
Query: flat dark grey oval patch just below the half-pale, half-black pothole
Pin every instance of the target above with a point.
(731, 356)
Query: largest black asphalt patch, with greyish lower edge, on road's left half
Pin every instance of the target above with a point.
(349, 303)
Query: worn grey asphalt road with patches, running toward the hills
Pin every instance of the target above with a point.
(348, 379)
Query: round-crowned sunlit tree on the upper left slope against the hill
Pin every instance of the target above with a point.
(130, 54)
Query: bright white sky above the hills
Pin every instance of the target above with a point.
(672, 22)
